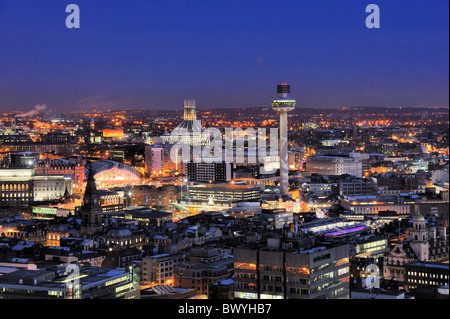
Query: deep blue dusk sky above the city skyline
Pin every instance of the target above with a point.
(155, 54)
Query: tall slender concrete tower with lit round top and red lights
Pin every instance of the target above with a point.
(283, 105)
